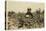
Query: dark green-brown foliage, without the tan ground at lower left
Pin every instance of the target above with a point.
(36, 22)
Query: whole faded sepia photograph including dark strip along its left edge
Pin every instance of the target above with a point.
(23, 15)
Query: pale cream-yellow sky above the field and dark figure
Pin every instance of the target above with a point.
(22, 6)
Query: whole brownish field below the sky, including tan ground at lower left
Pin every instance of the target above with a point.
(19, 21)
